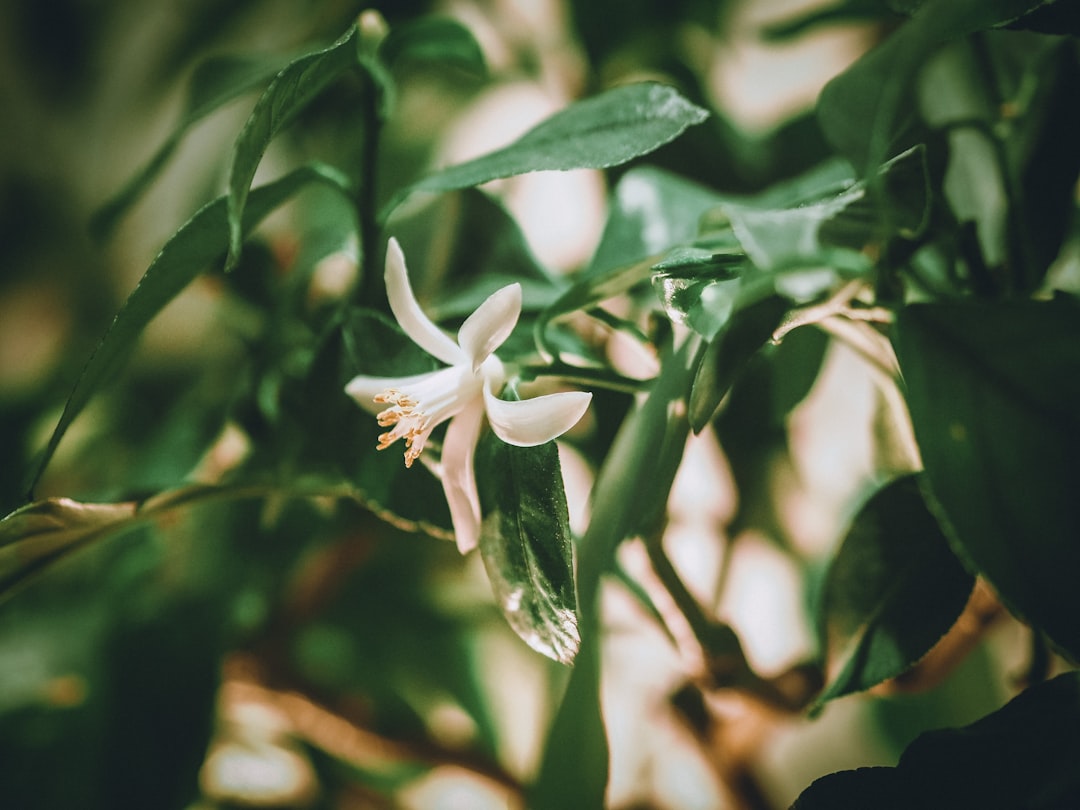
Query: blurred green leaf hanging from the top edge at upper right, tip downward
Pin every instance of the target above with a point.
(875, 91)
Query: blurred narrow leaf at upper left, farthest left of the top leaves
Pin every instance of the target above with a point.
(214, 84)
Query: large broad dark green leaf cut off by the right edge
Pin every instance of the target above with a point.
(994, 393)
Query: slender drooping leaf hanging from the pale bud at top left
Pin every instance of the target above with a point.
(300, 84)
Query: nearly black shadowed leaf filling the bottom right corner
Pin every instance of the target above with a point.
(1024, 755)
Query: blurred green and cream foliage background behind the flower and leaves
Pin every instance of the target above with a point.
(267, 650)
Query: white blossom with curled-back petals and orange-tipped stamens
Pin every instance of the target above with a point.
(465, 394)
